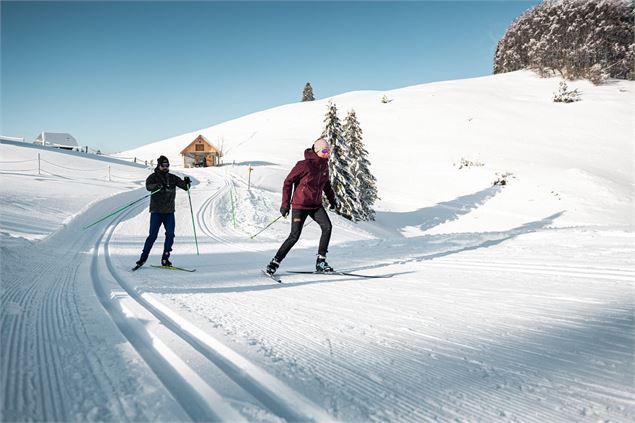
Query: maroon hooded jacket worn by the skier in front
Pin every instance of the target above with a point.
(309, 178)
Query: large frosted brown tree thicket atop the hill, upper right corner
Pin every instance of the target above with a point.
(575, 38)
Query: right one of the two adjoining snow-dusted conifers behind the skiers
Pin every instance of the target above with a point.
(363, 182)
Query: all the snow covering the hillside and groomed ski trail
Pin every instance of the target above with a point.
(498, 303)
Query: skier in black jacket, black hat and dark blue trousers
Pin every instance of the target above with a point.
(162, 208)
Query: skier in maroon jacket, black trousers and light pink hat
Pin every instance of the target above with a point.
(309, 178)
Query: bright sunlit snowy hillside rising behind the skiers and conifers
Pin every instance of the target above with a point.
(576, 158)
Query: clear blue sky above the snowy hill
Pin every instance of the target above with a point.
(117, 75)
